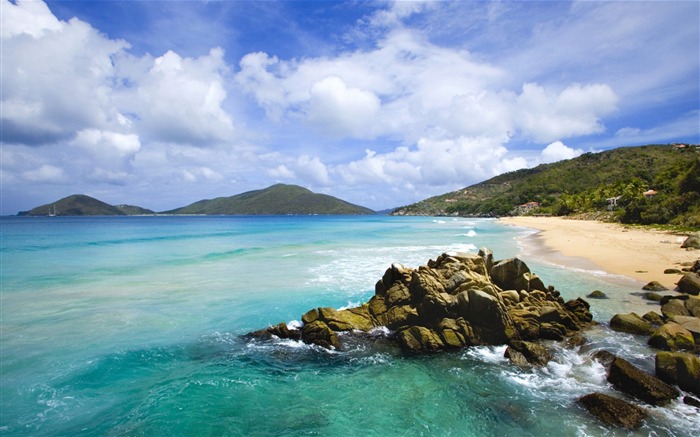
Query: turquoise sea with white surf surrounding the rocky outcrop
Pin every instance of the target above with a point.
(132, 326)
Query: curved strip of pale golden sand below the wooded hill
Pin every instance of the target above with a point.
(642, 255)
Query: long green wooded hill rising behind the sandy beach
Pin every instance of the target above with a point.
(585, 184)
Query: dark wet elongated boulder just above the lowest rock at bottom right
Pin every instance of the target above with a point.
(629, 379)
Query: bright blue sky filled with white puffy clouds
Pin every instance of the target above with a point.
(163, 103)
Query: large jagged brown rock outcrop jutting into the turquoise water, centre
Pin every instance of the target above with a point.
(455, 301)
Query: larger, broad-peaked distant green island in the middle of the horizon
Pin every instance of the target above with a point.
(278, 199)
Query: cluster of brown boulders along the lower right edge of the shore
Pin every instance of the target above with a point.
(675, 331)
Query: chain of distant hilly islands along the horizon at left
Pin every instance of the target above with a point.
(279, 199)
